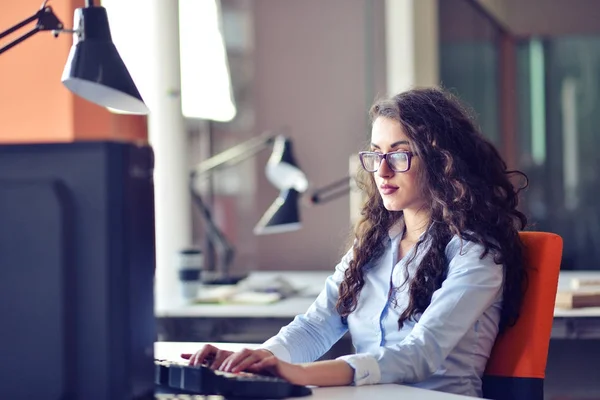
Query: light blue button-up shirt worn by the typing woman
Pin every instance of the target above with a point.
(446, 349)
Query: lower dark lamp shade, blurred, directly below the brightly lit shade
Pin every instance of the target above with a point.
(282, 216)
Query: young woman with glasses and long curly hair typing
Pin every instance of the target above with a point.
(435, 270)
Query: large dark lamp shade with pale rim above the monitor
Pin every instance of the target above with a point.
(94, 69)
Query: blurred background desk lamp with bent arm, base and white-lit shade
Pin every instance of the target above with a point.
(281, 170)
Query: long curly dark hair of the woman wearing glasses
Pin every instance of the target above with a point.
(469, 193)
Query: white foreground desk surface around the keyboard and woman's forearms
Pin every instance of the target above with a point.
(172, 350)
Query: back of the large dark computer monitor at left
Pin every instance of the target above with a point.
(76, 271)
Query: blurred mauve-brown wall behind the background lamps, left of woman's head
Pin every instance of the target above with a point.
(315, 73)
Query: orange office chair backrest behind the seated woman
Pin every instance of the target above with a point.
(517, 365)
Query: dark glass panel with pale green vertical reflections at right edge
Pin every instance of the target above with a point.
(559, 116)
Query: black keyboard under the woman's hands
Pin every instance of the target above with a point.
(178, 378)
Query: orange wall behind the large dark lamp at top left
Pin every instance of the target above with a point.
(34, 104)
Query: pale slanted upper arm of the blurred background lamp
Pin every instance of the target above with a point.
(234, 154)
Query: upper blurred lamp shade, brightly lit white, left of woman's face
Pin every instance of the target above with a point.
(282, 170)
